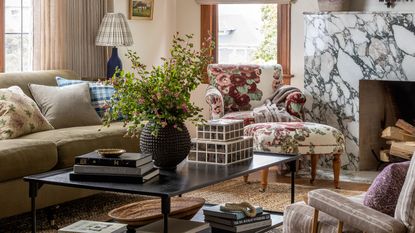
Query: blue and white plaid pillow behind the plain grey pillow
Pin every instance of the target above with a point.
(100, 94)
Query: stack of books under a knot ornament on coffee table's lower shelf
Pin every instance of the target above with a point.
(235, 221)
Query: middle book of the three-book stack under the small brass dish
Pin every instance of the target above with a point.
(109, 170)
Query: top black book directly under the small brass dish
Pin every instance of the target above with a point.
(125, 160)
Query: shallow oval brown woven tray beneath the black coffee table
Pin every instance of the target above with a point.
(148, 211)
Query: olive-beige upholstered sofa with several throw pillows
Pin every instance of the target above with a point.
(48, 150)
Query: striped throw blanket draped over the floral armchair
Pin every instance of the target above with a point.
(273, 109)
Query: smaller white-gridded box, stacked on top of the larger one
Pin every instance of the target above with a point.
(221, 130)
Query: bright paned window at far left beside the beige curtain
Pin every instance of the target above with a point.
(18, 35)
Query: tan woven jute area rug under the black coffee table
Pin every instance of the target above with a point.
(96, 207)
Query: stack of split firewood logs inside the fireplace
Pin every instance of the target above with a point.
(401, 139)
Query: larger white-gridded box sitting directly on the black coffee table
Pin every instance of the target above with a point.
(222, 153)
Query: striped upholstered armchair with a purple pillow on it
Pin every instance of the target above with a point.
(329, 212)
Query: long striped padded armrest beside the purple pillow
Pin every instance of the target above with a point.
(354, 214)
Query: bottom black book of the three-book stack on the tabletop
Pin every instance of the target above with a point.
(115, 178)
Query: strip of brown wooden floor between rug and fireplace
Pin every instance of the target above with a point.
(273, 177)
